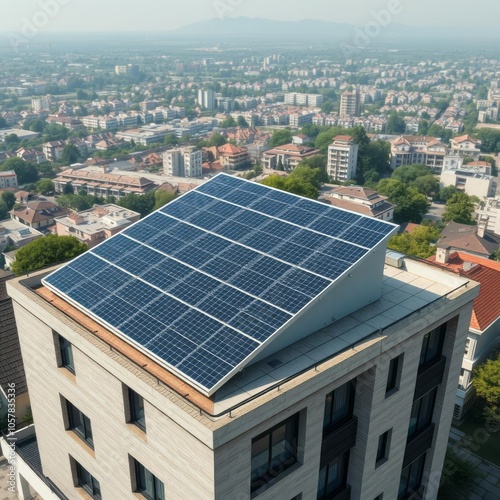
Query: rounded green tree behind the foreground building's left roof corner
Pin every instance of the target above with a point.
(46, 251)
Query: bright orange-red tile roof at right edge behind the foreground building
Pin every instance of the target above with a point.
(487, 272)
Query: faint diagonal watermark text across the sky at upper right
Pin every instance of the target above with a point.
(363, 36)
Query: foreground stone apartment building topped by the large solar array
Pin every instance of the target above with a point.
(152, 387)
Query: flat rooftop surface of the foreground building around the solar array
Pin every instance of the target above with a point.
(405, 291)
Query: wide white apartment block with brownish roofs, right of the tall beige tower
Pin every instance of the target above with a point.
(412, 150)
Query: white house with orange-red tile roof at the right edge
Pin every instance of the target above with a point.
(484, 329)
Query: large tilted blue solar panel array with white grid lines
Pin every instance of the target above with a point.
(202, 283)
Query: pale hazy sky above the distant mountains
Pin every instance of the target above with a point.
(163, 15)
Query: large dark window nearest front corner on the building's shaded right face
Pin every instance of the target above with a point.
(274, 452)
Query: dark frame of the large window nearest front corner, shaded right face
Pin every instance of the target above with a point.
(276, 469)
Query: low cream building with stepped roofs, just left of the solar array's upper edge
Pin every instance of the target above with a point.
(95, 225)
